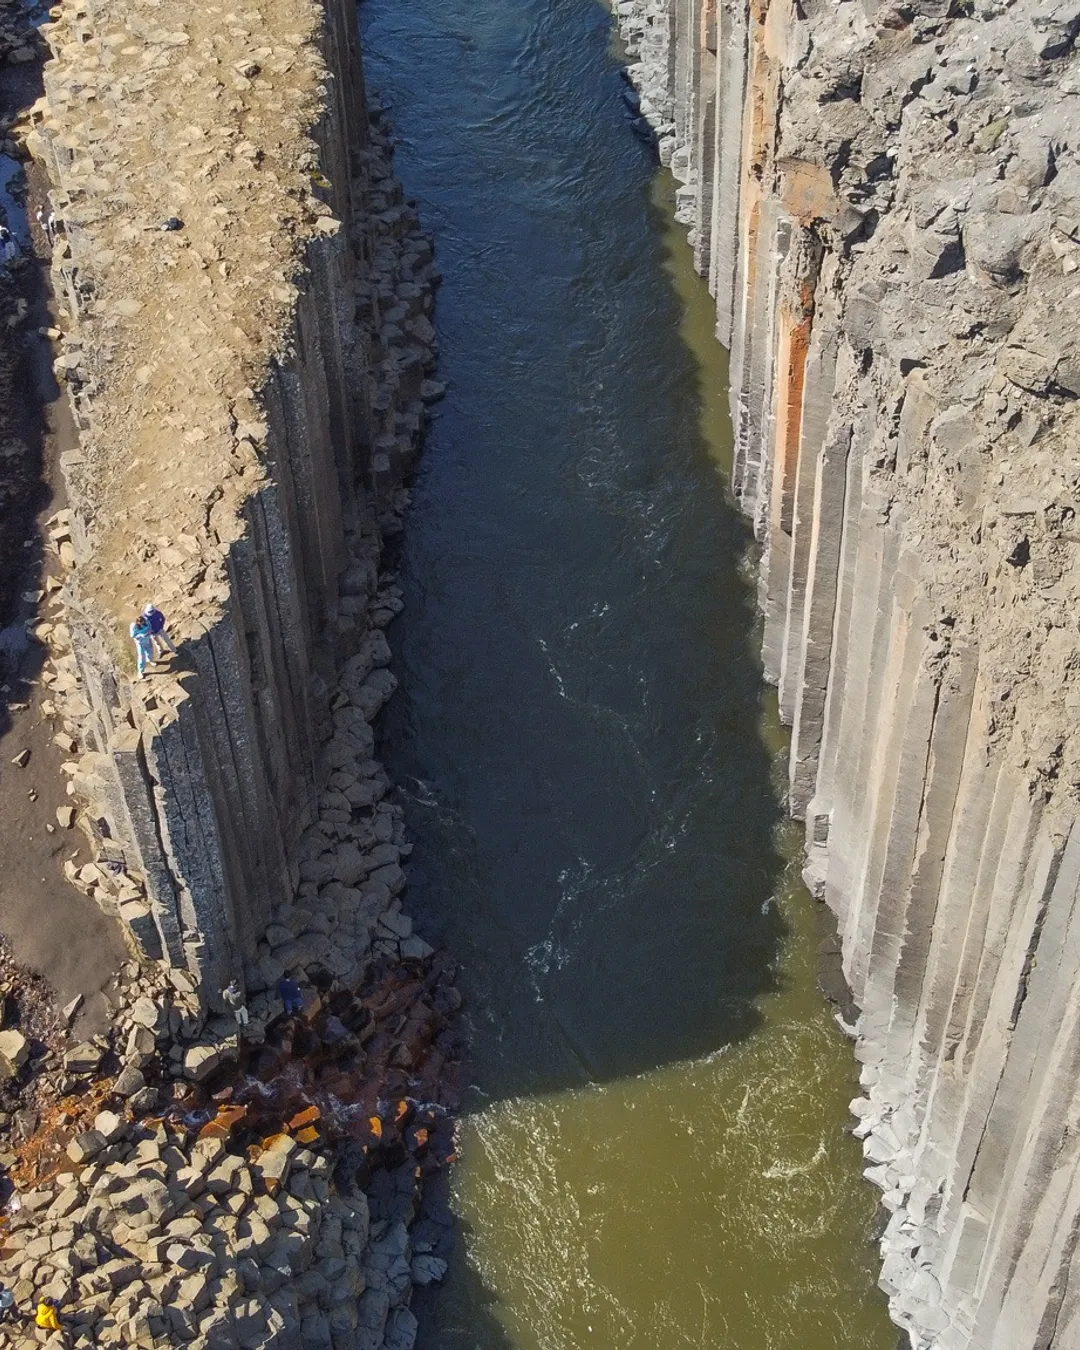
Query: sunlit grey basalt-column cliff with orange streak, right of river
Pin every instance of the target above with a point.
(884, 199)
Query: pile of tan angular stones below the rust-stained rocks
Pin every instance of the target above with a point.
(161, 1237)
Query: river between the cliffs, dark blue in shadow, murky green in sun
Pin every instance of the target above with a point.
(654, 1152)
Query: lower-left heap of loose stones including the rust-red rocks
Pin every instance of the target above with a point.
(234, 1216)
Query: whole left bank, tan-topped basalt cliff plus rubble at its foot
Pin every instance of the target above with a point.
(244, 307)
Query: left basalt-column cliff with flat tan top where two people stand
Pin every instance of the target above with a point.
(248, 394)
